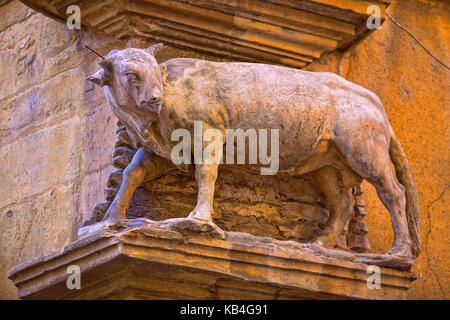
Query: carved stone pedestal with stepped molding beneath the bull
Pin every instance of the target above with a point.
(137, 259)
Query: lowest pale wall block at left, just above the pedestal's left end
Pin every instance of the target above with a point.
(36, 225)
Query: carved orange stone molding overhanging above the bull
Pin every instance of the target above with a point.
(286, 32)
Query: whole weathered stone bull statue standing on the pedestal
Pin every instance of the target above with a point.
(330, 127)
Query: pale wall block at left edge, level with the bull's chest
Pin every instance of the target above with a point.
(39, 161)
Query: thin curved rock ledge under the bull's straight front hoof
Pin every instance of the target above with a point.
(193, 225)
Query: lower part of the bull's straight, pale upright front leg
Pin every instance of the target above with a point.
(206, 175)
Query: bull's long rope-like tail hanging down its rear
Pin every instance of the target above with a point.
(405, 177)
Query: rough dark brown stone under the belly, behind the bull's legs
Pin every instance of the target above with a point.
(238, 204)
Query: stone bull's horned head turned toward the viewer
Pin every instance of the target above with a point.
(132, 80)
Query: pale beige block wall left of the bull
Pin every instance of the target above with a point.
(51, 158)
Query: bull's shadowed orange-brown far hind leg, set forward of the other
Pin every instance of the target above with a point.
(330, 181)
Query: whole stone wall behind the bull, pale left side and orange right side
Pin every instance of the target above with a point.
(57, 133)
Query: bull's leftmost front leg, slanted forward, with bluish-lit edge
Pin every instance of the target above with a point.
(133, 175)
